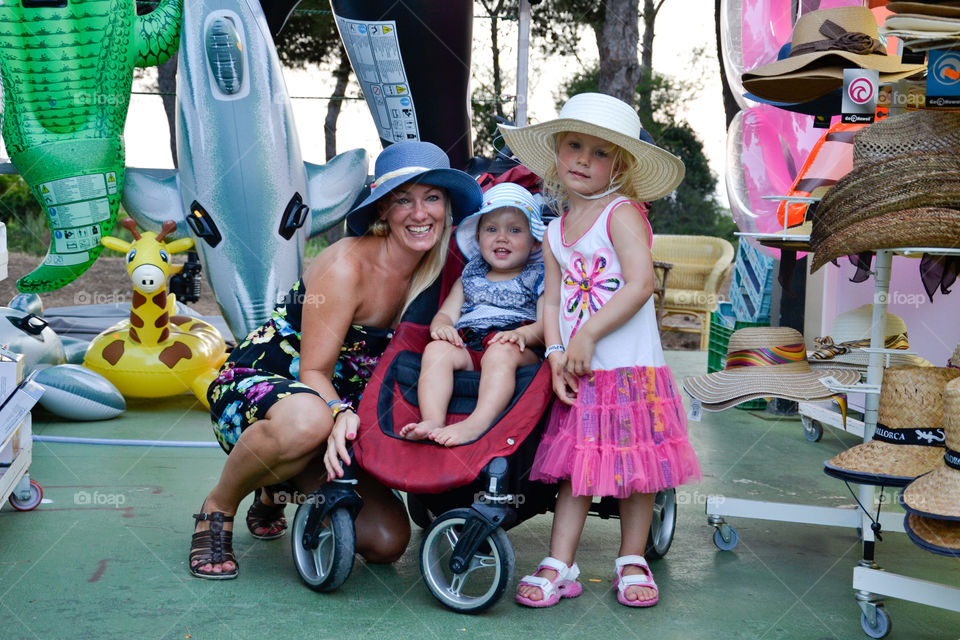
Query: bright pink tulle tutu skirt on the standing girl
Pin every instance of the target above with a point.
(626, 433)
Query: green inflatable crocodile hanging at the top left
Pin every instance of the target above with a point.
(67, 67)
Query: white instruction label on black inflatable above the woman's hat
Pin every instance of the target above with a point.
(374, 52)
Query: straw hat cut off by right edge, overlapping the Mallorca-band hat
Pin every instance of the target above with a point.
(937, 494)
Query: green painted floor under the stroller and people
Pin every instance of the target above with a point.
(115, 567)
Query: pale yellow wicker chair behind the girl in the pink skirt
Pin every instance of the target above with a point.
(700, 266)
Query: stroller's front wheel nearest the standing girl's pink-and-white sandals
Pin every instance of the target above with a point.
(487, 574)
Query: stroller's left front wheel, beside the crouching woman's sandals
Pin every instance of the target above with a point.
(327, 566)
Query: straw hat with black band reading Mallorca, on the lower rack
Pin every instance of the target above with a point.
(908, 441)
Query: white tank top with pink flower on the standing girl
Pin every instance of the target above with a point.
(590, 275)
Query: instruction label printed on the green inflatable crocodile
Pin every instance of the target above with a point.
(74, 206)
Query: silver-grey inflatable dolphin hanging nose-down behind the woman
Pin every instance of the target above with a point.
(245, 194)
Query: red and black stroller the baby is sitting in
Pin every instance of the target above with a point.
(464, 497)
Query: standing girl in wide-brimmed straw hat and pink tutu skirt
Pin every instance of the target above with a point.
(619, 427)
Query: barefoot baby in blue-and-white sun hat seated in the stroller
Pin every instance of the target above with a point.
(488, 318)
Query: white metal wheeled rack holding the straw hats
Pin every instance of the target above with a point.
(870, 583)
